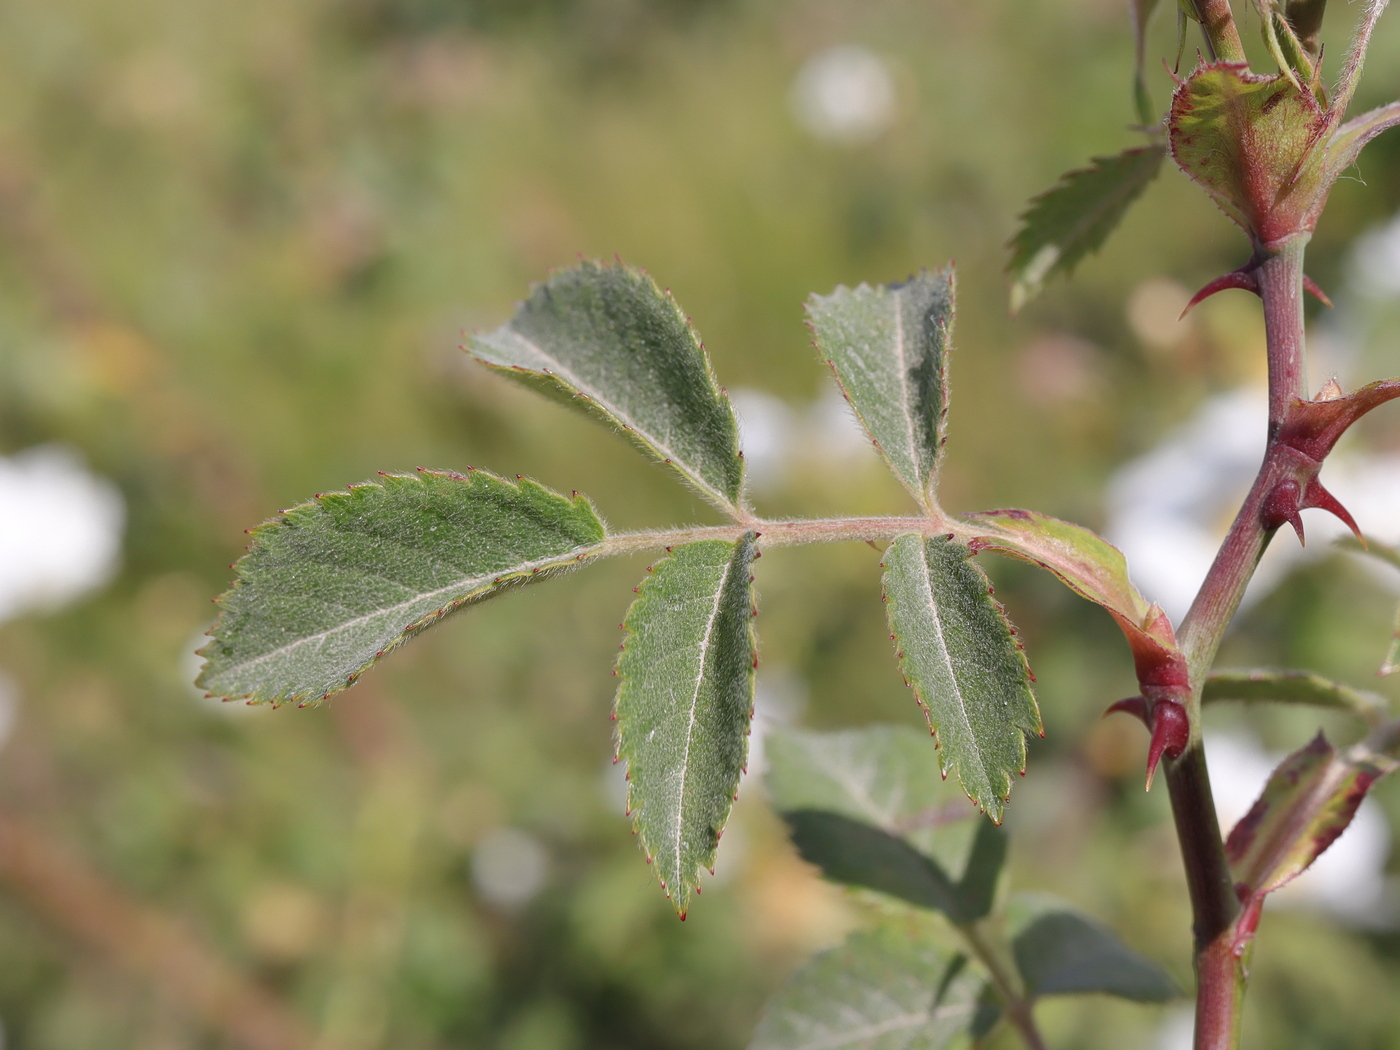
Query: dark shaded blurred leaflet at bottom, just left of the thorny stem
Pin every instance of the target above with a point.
(1062, 953)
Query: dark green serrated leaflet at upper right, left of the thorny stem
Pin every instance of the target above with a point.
(1076, 216)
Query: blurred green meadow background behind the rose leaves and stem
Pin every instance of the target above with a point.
(239, 246)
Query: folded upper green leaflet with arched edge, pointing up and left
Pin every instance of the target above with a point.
(608, 339)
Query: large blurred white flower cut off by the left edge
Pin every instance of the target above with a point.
(61, 530)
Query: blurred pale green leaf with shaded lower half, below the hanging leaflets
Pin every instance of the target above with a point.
(870, 808)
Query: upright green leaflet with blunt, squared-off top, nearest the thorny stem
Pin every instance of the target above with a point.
(888, 348)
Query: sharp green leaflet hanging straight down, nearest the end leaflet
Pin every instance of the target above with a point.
(685, 702)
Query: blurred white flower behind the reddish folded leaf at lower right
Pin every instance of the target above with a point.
(1349, 880)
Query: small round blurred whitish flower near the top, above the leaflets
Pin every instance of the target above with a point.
(845, 94)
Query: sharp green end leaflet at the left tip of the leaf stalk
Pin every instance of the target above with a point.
(330, 587)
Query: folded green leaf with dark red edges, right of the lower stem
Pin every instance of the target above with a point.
(1308, 803)
